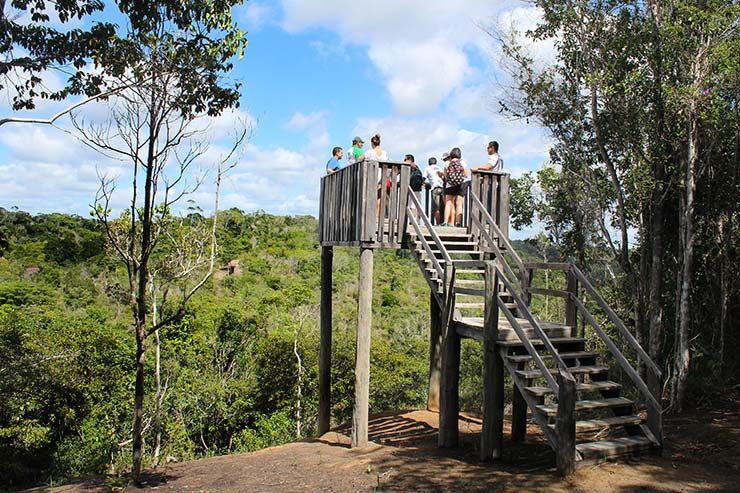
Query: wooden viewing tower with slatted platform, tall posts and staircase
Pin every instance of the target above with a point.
(481, 289)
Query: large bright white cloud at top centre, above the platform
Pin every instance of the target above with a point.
(417, 47)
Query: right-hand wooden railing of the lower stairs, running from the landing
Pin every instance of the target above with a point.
(651, 391)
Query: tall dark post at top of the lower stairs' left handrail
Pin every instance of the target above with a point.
(493, 374)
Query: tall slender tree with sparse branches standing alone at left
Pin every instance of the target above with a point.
(183, 51)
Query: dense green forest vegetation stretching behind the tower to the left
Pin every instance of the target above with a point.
(229, 367)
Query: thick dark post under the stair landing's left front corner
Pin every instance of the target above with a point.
(449, 399)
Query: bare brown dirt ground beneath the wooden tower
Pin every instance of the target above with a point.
(702, 453)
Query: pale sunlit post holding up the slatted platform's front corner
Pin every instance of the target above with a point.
(362, 358)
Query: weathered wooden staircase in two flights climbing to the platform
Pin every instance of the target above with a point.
(606, 424)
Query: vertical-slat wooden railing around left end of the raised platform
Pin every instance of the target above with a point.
(364, 204)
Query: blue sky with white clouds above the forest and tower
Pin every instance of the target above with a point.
(316, 73)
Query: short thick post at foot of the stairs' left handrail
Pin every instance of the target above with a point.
(565, 424)
